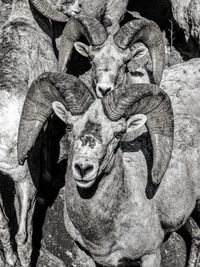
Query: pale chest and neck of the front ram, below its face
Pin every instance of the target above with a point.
(125, 226)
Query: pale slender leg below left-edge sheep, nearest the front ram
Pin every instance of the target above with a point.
(26, 193)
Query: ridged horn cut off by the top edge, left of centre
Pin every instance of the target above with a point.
(46, 10)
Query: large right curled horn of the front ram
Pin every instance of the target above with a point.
(153, 102)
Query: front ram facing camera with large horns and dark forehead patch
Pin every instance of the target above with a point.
(115, 217)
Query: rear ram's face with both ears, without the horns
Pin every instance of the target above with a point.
(109, 63)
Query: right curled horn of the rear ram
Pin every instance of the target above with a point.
(147, 32)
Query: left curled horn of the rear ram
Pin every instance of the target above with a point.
(90, 27)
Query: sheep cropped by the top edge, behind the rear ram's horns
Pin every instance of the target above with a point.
(109, 11)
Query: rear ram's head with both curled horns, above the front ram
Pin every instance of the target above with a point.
(109, 54)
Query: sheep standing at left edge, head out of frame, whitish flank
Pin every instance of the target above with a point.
(25, 52)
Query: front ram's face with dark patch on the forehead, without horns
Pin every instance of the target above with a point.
(94, 139)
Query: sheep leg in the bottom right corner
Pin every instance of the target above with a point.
(194, 231)
